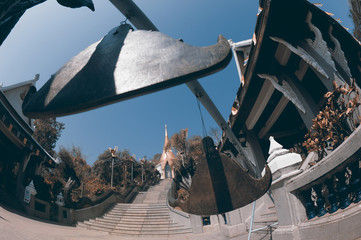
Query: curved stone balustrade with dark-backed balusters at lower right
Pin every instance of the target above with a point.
(334, 182)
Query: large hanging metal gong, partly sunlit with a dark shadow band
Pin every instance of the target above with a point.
(122, 65)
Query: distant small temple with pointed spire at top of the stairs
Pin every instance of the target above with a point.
(167, 160)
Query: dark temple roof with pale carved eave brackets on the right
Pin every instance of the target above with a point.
(287, 44)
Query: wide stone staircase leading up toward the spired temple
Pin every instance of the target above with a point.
(148, 216)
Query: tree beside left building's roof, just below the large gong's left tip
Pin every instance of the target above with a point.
(47, 133)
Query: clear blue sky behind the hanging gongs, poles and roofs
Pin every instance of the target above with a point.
(48, 35)
